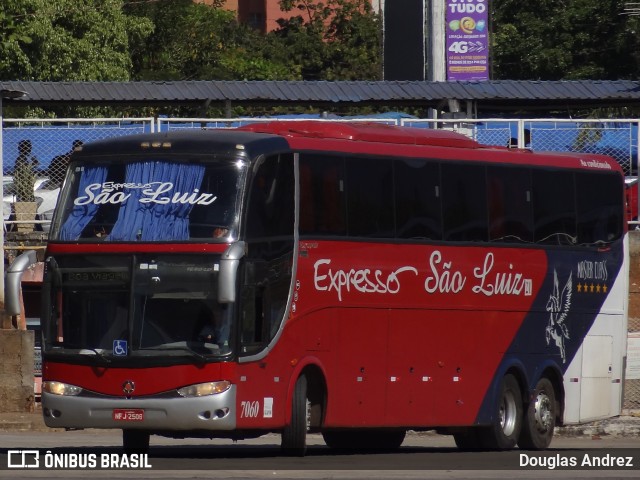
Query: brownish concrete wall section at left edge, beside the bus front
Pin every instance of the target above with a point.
(16, 371)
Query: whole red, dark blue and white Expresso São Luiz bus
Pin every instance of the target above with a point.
(355, 280)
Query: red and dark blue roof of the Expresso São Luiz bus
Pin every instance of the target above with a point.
(360, 138)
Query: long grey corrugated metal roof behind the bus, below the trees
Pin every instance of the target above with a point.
(499, 95)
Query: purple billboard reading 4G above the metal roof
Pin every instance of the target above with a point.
(467, 39)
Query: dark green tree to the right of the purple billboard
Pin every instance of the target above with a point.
(553, 40)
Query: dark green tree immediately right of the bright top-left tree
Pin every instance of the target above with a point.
(198, 42)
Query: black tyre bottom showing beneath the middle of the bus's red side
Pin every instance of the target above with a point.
(364, 439)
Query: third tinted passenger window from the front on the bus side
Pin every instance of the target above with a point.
(417, 191)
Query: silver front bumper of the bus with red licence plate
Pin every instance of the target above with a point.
(211, 412)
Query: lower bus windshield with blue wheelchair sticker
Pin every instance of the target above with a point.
(137, 306)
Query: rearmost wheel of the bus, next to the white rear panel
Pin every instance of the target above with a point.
(540, 417)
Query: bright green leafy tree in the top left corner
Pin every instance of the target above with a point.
(67, 40)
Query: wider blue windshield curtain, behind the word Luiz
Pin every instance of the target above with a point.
(147, 217)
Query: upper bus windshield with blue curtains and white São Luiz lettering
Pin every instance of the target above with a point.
(149, 200)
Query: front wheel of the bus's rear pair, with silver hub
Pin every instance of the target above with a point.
(504, 432)
